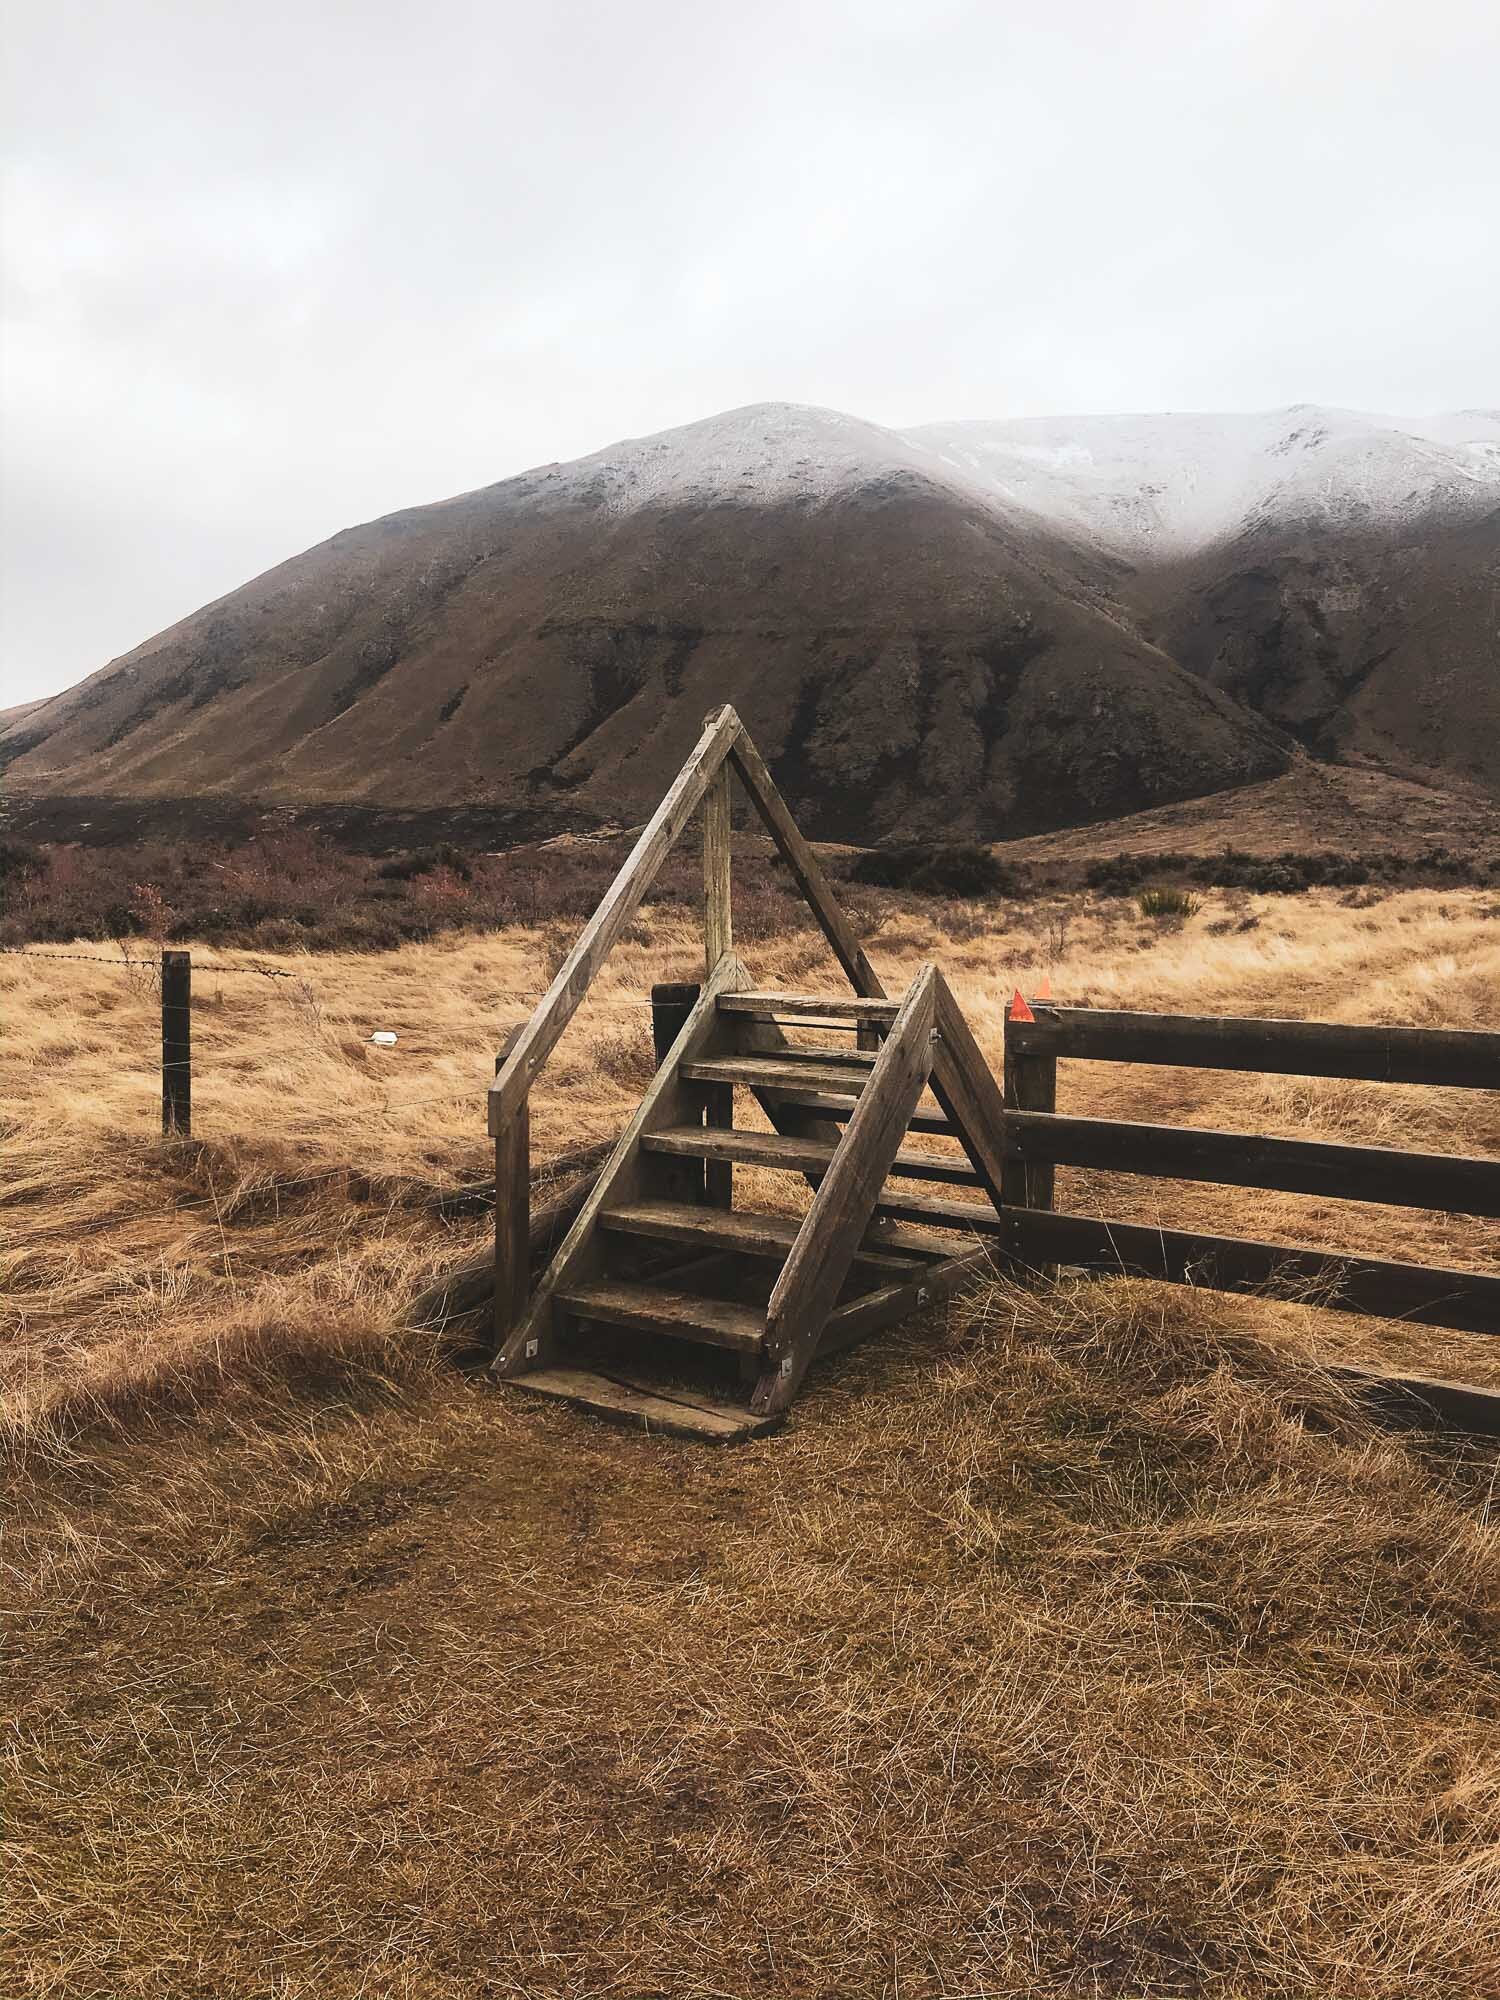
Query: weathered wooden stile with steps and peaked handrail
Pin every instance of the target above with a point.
(661, 1263)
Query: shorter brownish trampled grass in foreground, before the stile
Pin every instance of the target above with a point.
(1089, 1645)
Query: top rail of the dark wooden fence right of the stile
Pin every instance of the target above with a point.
(1459, 1059)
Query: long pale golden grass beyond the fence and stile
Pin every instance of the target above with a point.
(301, 1213)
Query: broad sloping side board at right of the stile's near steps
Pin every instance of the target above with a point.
(843, 1207)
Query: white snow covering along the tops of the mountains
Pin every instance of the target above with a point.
(1137, 487)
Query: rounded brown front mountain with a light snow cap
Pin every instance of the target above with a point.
(909, 655)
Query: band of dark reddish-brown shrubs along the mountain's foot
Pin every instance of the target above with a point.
(305, 891)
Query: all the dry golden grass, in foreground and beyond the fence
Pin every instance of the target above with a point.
(1087, 1643)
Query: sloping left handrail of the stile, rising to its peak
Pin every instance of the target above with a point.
(603, 931)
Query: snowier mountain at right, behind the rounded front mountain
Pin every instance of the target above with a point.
(1335, 573)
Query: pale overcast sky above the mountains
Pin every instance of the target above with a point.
(275, 269)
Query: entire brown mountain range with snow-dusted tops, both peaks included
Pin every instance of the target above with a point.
(987, 629)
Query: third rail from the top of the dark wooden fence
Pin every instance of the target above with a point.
(1377, 1287)
